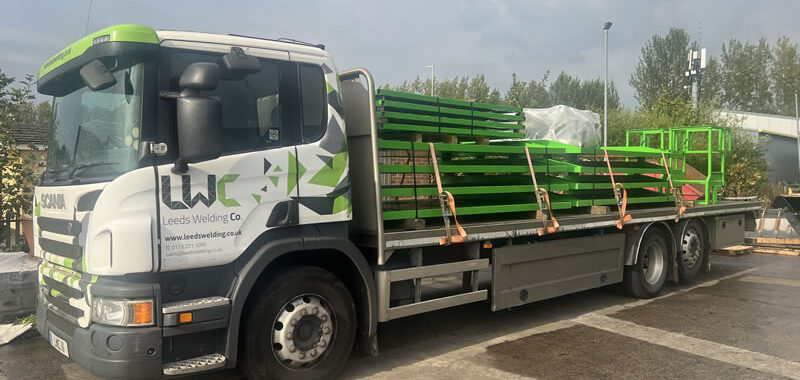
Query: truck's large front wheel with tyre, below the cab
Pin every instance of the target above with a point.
(302, 326)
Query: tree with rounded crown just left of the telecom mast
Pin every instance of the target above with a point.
(661, 68)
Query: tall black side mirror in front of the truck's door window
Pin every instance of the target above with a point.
(199, 117)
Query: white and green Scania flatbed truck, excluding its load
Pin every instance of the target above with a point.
(213, 201)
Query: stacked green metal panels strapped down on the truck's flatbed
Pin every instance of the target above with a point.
(494, 178)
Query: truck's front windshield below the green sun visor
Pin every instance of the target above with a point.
(95, 134)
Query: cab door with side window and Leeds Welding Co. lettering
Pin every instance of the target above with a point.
(213, 212)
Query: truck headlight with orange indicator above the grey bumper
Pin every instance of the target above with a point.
(122, 312)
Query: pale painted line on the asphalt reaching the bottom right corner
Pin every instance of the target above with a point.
(720, 352)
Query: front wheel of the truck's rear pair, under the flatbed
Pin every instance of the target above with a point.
(646, 278)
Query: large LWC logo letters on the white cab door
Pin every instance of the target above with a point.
(215, 191)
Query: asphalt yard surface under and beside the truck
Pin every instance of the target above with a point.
(738, 321)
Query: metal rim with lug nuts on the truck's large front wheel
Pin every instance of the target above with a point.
(303, 331)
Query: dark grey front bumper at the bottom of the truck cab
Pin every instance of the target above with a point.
(107, 351)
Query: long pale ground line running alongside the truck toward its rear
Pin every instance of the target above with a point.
(454, 364)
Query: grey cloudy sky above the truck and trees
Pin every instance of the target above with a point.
(396, 40)
